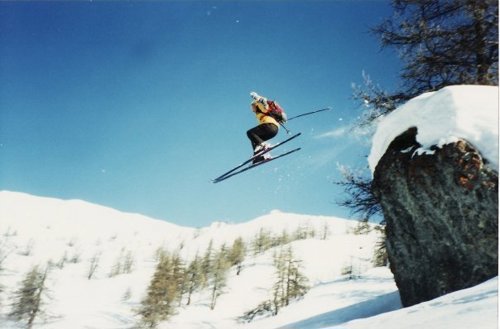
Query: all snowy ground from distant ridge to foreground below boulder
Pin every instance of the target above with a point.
(34, 230)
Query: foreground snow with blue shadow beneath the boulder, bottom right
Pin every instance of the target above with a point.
(475, 307)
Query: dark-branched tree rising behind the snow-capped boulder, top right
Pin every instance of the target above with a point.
(441, 43)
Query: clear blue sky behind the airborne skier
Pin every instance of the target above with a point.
(137, 106)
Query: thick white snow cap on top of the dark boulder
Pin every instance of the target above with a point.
(443, 116)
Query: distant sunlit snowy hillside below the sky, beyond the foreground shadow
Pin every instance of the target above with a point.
(70, 234)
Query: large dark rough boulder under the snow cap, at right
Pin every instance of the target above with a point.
(441, 211)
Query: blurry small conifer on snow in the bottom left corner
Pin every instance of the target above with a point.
(28, 299)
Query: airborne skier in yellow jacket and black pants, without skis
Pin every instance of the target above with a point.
(267, 128)
